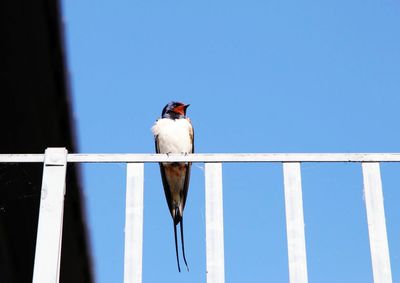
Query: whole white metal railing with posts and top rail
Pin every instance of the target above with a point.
(49, 235)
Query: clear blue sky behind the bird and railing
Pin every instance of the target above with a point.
(261, 76)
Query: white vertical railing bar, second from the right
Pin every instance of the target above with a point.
(295, 223)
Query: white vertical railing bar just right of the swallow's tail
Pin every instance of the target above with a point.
(214, 224)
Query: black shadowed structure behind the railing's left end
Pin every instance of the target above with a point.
(36, 113)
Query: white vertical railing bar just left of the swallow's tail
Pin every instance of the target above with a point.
(133, 223)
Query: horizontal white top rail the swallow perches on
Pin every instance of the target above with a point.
(208, 157)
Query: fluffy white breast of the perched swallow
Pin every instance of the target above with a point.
(173, 135)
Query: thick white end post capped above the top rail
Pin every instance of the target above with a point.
(49, 234)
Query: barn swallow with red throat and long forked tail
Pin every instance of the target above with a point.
(173, 133)
